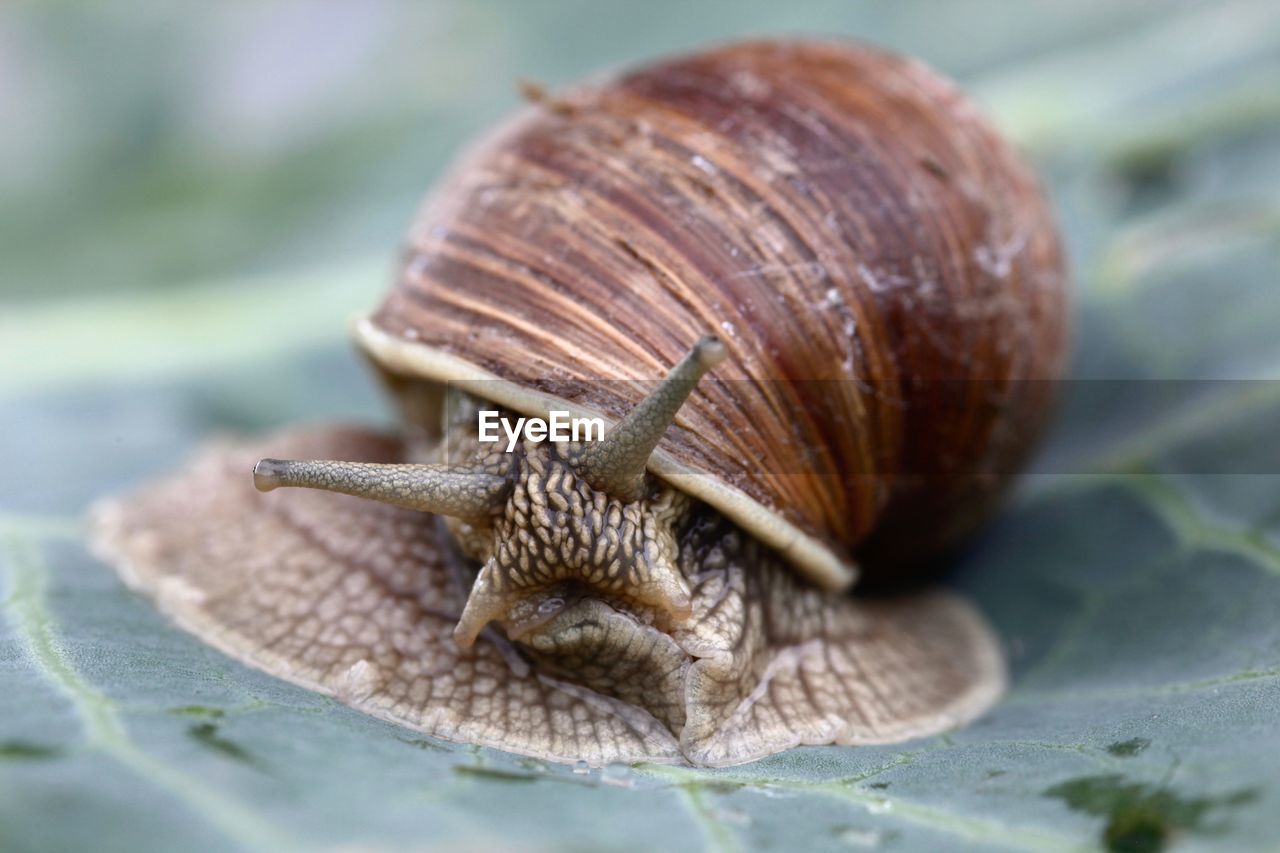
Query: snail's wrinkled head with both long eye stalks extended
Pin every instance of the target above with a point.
(555, 528)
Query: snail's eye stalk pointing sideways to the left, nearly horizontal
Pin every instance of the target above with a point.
(431, 489)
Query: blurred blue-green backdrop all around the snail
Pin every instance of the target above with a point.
(196, 198)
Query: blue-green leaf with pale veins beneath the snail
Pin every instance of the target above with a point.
(1135, 577)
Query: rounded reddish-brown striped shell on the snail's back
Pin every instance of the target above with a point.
(880, 264)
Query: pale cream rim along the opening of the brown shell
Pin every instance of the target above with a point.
(817, 560)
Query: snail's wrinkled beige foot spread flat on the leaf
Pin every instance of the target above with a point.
(360, 600)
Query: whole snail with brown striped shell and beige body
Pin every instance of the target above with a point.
(817, 307)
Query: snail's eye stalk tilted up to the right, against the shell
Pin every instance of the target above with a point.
(618, 464)
